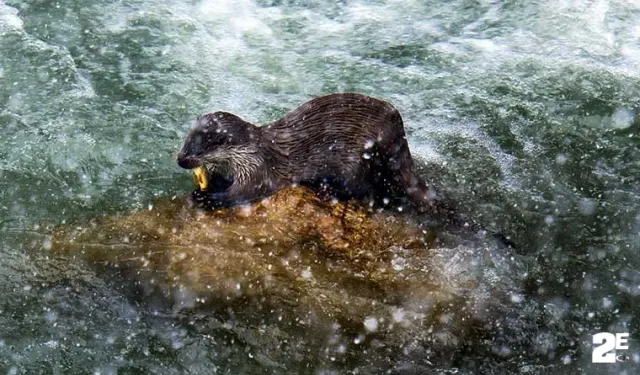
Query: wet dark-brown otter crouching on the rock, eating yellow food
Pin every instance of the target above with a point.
(347, 146)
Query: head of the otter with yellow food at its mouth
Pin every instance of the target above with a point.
(217, 149)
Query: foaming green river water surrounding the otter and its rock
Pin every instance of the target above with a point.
(526, 114)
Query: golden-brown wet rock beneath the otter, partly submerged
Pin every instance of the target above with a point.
(293, 262)
